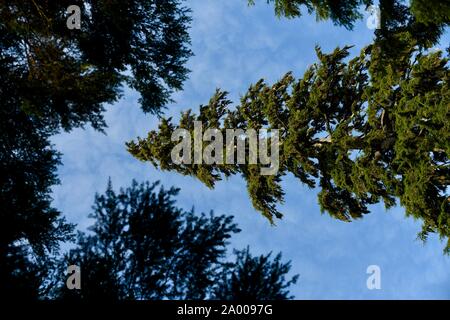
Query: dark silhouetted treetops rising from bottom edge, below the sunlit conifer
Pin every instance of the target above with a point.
(141, 246)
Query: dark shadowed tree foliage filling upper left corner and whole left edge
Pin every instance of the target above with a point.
(52, 78)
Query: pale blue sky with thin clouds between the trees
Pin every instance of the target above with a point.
(235, 46)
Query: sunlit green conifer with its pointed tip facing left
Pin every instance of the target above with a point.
(370, 129)
